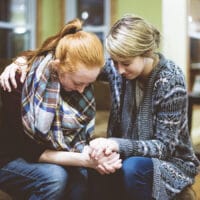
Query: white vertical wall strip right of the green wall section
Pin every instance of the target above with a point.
(175, 32)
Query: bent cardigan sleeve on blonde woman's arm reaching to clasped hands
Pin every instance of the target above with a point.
(170, 136)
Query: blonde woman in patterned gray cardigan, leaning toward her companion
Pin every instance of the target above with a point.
(148, 122)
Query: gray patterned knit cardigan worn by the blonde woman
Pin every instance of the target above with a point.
(158, 128)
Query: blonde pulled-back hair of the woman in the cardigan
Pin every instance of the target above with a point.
(132, 36)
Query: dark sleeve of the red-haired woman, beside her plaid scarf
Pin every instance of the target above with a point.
(14, 143)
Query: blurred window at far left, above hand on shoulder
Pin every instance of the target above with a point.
(17, 27)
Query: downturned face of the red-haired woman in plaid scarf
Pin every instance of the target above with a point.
(80, 79)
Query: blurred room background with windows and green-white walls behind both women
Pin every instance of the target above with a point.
(24, 24)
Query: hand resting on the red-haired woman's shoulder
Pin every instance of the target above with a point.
(7, 78)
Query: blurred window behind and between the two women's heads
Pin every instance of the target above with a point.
(94, 13)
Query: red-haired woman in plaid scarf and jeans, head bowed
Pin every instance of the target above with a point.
(49, 120)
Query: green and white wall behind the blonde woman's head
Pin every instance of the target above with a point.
(170, 17)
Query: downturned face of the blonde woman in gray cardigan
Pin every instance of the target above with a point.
(132, 68)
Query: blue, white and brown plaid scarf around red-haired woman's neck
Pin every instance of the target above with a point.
(58, 119)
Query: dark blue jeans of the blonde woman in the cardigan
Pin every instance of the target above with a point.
(132, 181)
